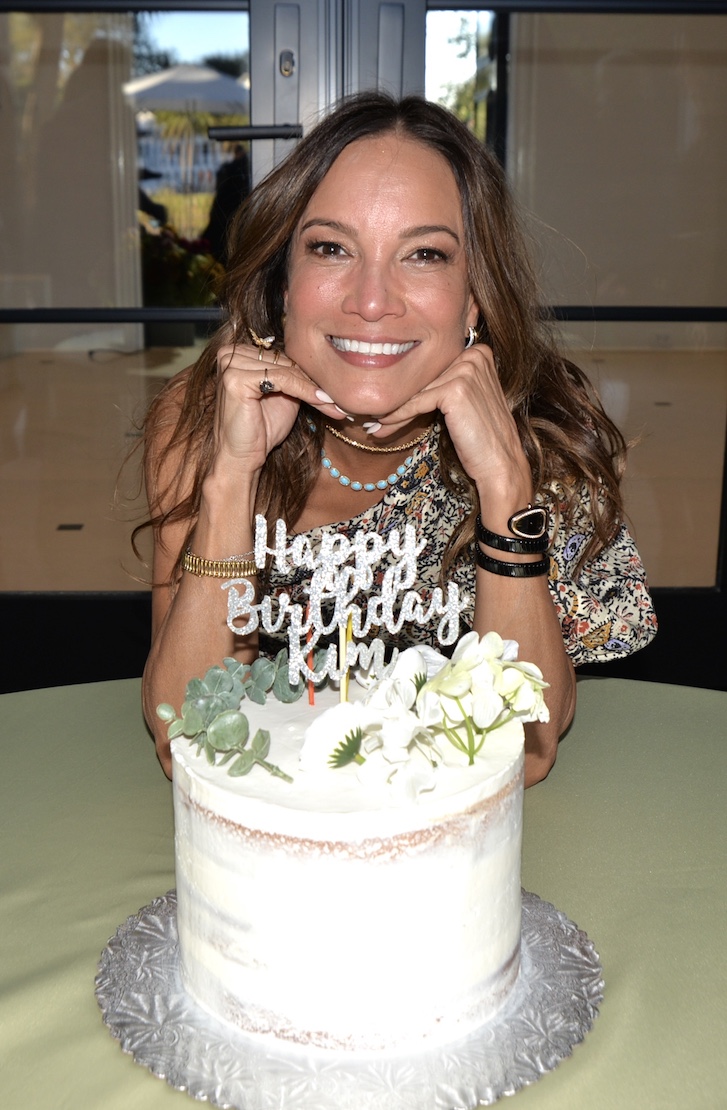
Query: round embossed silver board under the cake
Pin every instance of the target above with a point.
(551, 1010)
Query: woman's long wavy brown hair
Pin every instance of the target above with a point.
(567, 436)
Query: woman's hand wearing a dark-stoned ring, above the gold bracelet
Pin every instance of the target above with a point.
(250, 423)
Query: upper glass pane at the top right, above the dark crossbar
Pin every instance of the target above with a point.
(617, 143)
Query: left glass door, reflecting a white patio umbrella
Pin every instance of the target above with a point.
(109, 257)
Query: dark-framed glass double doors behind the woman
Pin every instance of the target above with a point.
(611, 126)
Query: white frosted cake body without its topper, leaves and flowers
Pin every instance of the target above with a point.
(337, 914)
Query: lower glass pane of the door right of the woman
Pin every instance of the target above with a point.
(673, 406)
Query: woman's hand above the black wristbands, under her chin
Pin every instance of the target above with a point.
(479, 420)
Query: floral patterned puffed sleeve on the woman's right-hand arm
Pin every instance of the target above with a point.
(605, 609)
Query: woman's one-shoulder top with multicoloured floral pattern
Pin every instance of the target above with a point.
(605, 612)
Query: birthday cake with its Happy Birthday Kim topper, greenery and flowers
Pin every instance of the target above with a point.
(348, 865)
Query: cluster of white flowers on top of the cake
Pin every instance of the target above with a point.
(428, 711)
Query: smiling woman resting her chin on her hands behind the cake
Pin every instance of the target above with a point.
(382, 362)
